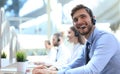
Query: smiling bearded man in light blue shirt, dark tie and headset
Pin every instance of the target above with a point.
(102, 51)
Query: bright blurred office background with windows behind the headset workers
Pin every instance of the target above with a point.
(25, 24)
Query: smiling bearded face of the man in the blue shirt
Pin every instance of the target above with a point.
(82, 21)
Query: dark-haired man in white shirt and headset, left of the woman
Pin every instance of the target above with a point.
(62, 52)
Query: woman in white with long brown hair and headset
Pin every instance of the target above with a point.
(78, 42)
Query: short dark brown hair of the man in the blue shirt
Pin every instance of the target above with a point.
(89, 11)
